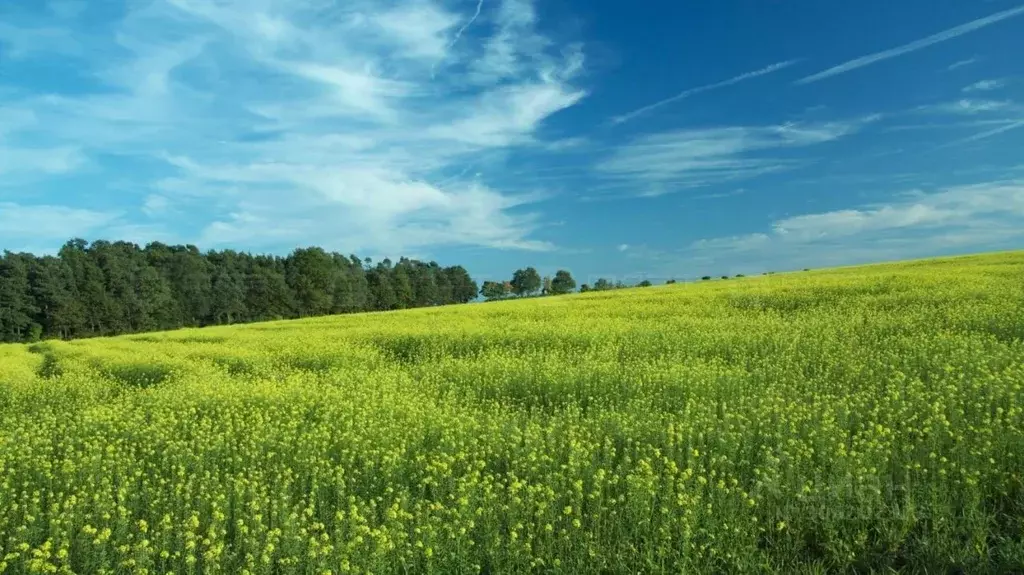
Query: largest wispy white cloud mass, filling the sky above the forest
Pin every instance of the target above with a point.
(339, 124)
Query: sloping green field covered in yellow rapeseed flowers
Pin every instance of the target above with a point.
(840, 421)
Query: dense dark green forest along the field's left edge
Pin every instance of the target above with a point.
(108, 289)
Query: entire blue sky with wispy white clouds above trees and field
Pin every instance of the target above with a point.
(617, 140)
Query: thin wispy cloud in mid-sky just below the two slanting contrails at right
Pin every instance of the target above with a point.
(659, 164)
